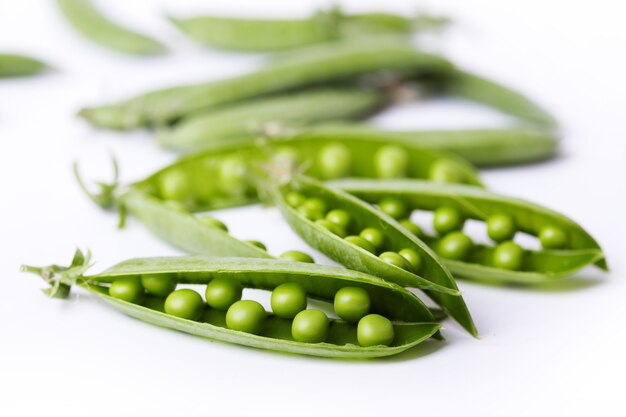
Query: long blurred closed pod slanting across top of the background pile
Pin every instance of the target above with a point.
(310, 66)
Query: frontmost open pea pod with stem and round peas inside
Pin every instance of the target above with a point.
(395, 320)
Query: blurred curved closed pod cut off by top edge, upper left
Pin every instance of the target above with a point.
(87, 20)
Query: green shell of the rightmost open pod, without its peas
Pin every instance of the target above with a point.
(475, 203)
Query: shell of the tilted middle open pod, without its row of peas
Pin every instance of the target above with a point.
(434, 278)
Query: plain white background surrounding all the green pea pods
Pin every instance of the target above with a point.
(555, 350)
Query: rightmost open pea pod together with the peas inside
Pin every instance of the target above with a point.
(567, 247)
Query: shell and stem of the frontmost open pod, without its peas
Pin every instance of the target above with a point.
(412, 321)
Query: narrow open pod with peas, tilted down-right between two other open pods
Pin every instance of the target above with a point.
(433, 277)
